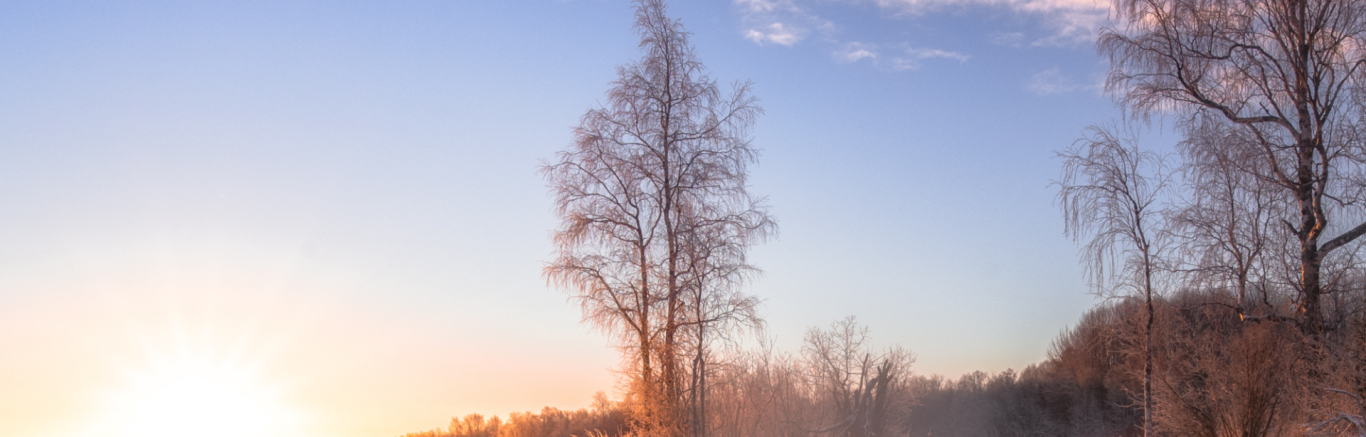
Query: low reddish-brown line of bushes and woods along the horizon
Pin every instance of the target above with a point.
(1216, 373)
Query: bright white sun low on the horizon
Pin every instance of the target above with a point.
(197, 397)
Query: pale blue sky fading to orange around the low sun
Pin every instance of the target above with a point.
(334, 207)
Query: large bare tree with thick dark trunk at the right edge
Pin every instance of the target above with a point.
(1286, 76)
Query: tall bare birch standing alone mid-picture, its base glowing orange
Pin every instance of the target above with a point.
(656, 216)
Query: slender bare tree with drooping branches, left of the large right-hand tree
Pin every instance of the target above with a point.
(1110, 193)
